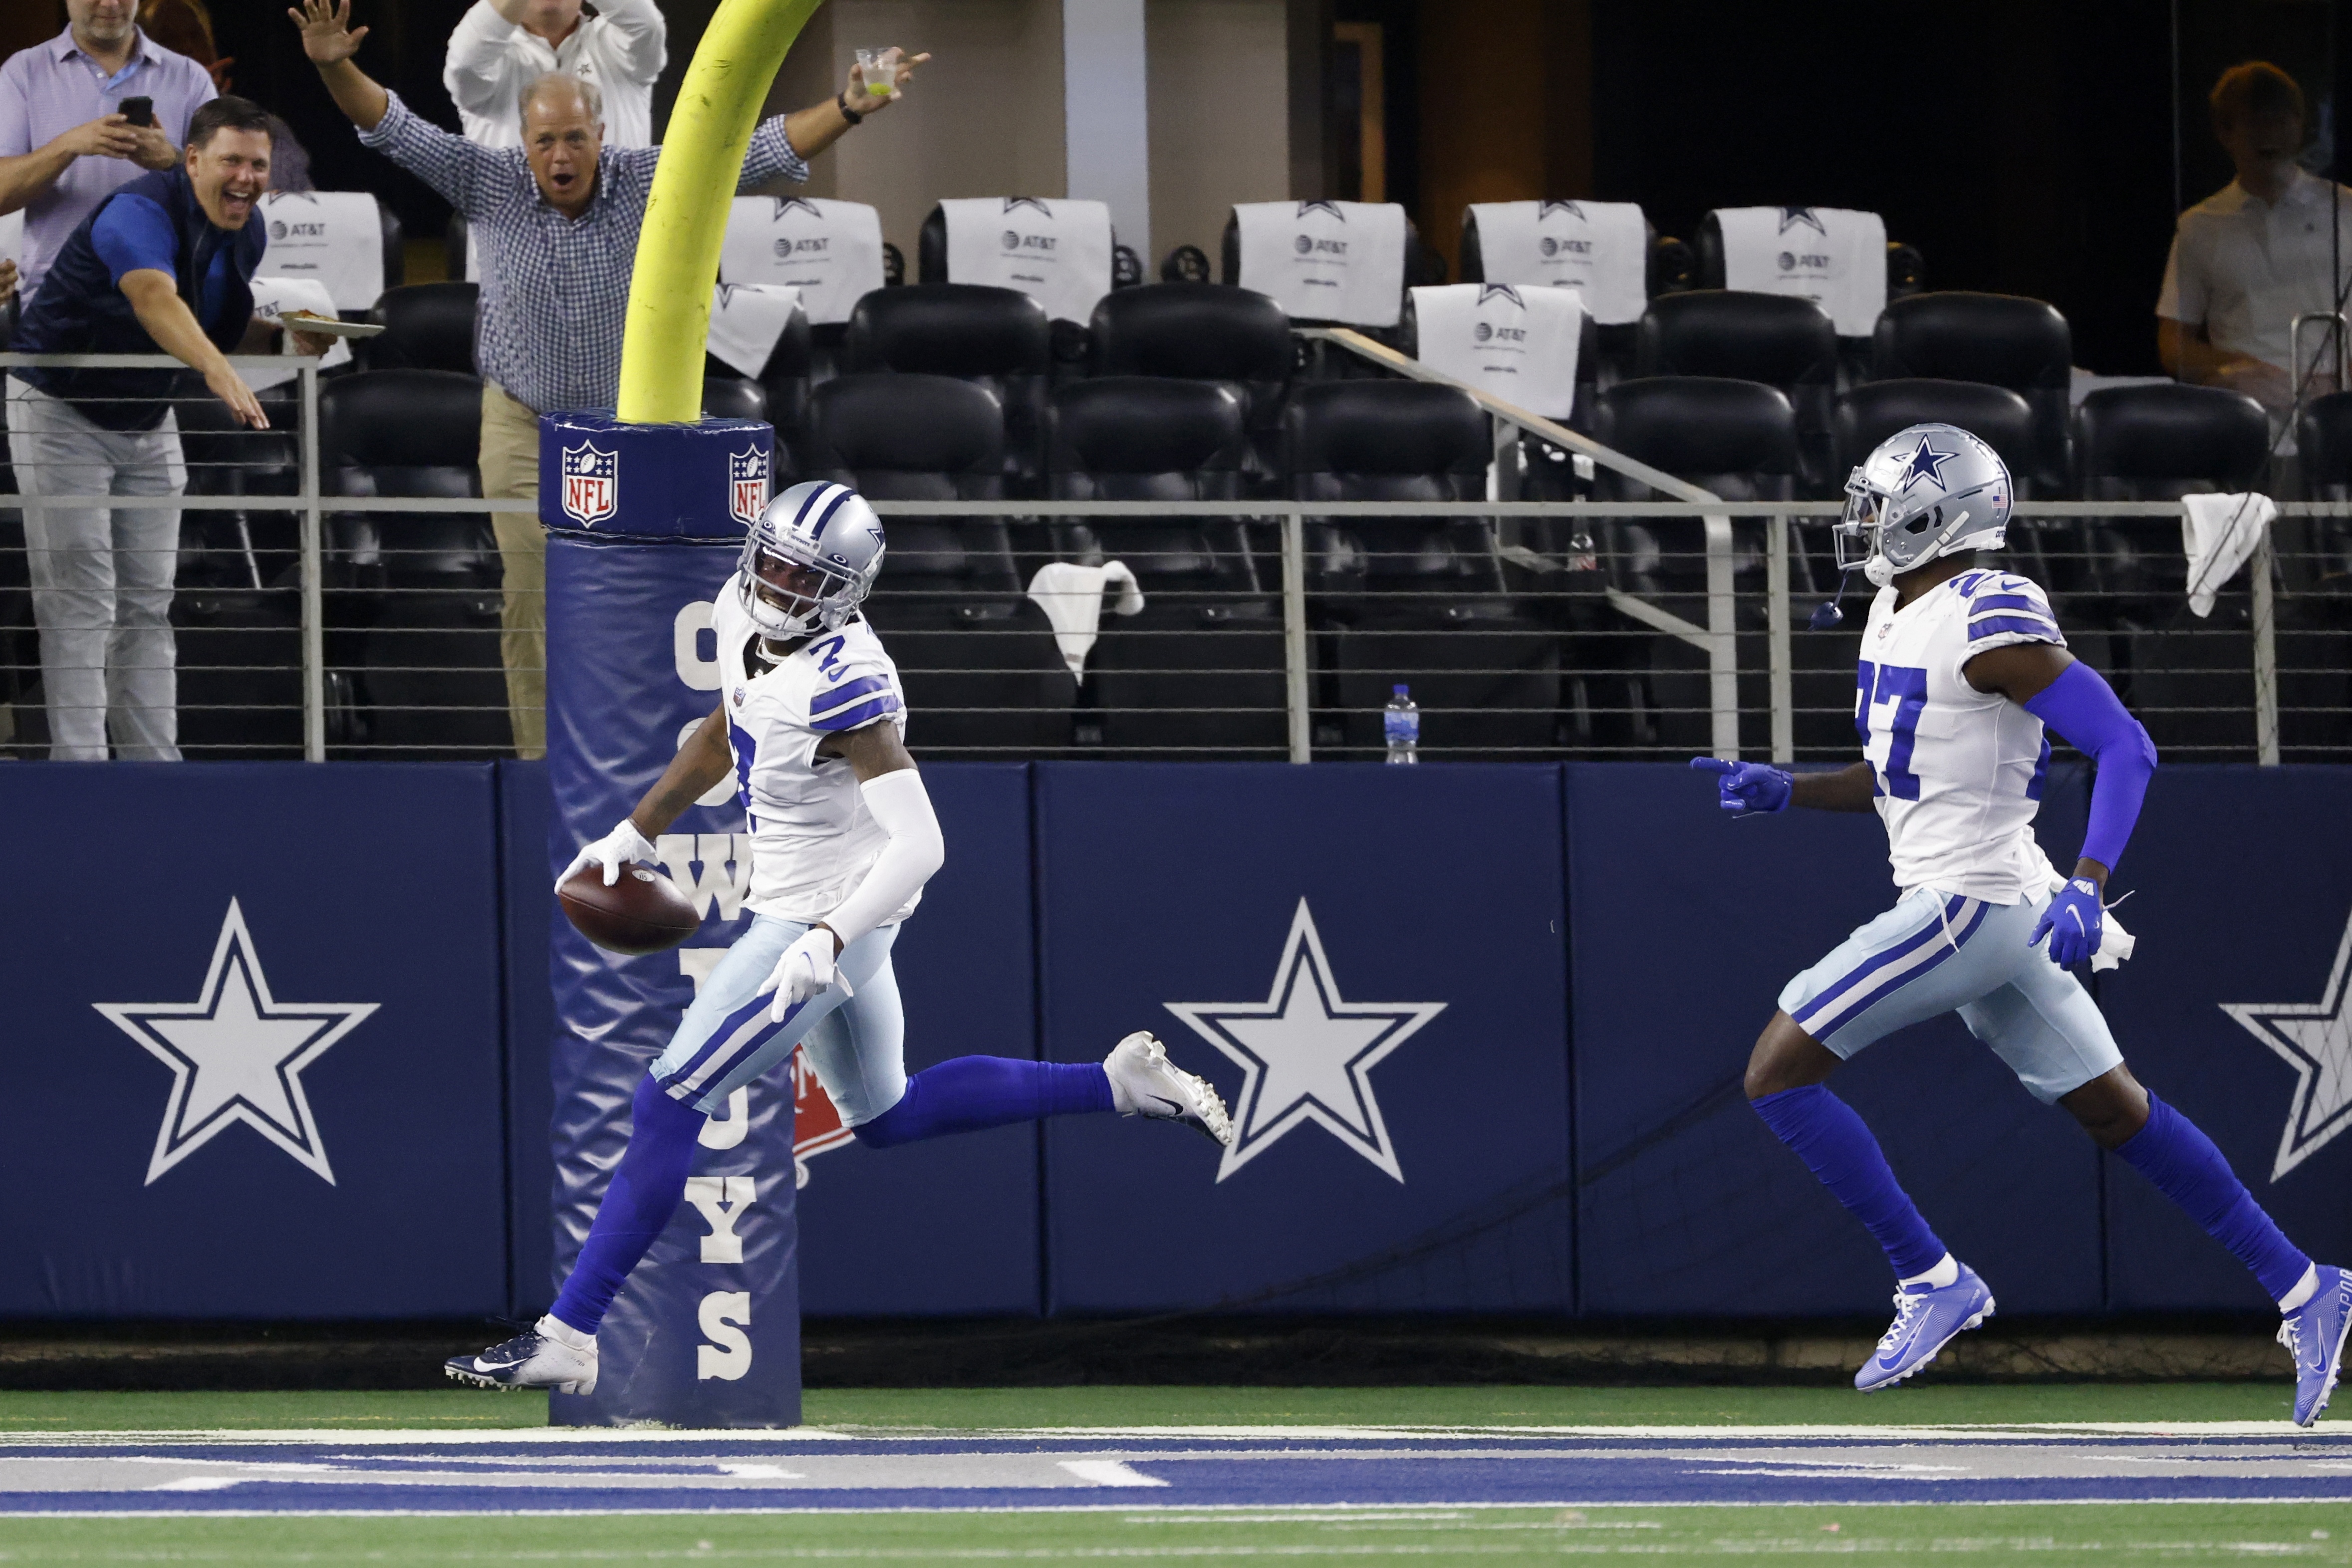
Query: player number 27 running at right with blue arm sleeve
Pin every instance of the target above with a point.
(1960, 676)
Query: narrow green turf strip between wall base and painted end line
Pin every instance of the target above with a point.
(1198, 1407)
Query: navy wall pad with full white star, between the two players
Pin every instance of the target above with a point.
(1408, 1141)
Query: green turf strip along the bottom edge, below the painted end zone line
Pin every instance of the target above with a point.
(2047, 1534)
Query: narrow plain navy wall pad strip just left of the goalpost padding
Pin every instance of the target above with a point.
(530, 1026)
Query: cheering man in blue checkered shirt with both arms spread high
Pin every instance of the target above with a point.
(561, 225)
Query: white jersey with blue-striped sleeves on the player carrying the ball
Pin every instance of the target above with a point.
(810, 833)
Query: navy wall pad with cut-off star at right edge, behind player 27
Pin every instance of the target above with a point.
(2245, 897)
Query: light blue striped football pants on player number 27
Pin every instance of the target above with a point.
(1939, 953)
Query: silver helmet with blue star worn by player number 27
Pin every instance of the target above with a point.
(1925, 492)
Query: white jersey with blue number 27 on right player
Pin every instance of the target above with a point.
(1958, 772)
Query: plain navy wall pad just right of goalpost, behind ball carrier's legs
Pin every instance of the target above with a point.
(951, 1226)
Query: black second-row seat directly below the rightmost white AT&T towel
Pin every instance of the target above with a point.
(1777, 340)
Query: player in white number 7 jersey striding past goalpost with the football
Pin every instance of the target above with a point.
(813, 725)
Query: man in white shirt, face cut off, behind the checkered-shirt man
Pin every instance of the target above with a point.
(505, 46)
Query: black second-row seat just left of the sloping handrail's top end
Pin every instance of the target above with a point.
(1203, 333)
